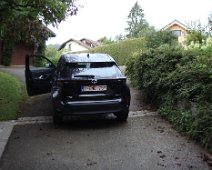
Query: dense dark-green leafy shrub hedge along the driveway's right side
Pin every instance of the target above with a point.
(180, 83)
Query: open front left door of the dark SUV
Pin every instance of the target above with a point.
(39, 74)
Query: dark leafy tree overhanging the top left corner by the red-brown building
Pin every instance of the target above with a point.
(22, 20)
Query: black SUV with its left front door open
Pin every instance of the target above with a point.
(80, 84)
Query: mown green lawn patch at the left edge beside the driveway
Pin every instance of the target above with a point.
(11, 95)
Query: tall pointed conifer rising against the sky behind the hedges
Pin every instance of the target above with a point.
(135, 21)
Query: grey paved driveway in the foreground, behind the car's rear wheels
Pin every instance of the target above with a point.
(143, 143)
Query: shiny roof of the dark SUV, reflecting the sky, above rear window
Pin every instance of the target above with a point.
(87, 57)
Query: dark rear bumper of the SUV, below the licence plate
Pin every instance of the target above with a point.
(92, 107)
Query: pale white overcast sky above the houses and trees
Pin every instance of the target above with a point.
(99, 18)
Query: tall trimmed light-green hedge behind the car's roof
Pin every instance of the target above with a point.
(122, 50)
